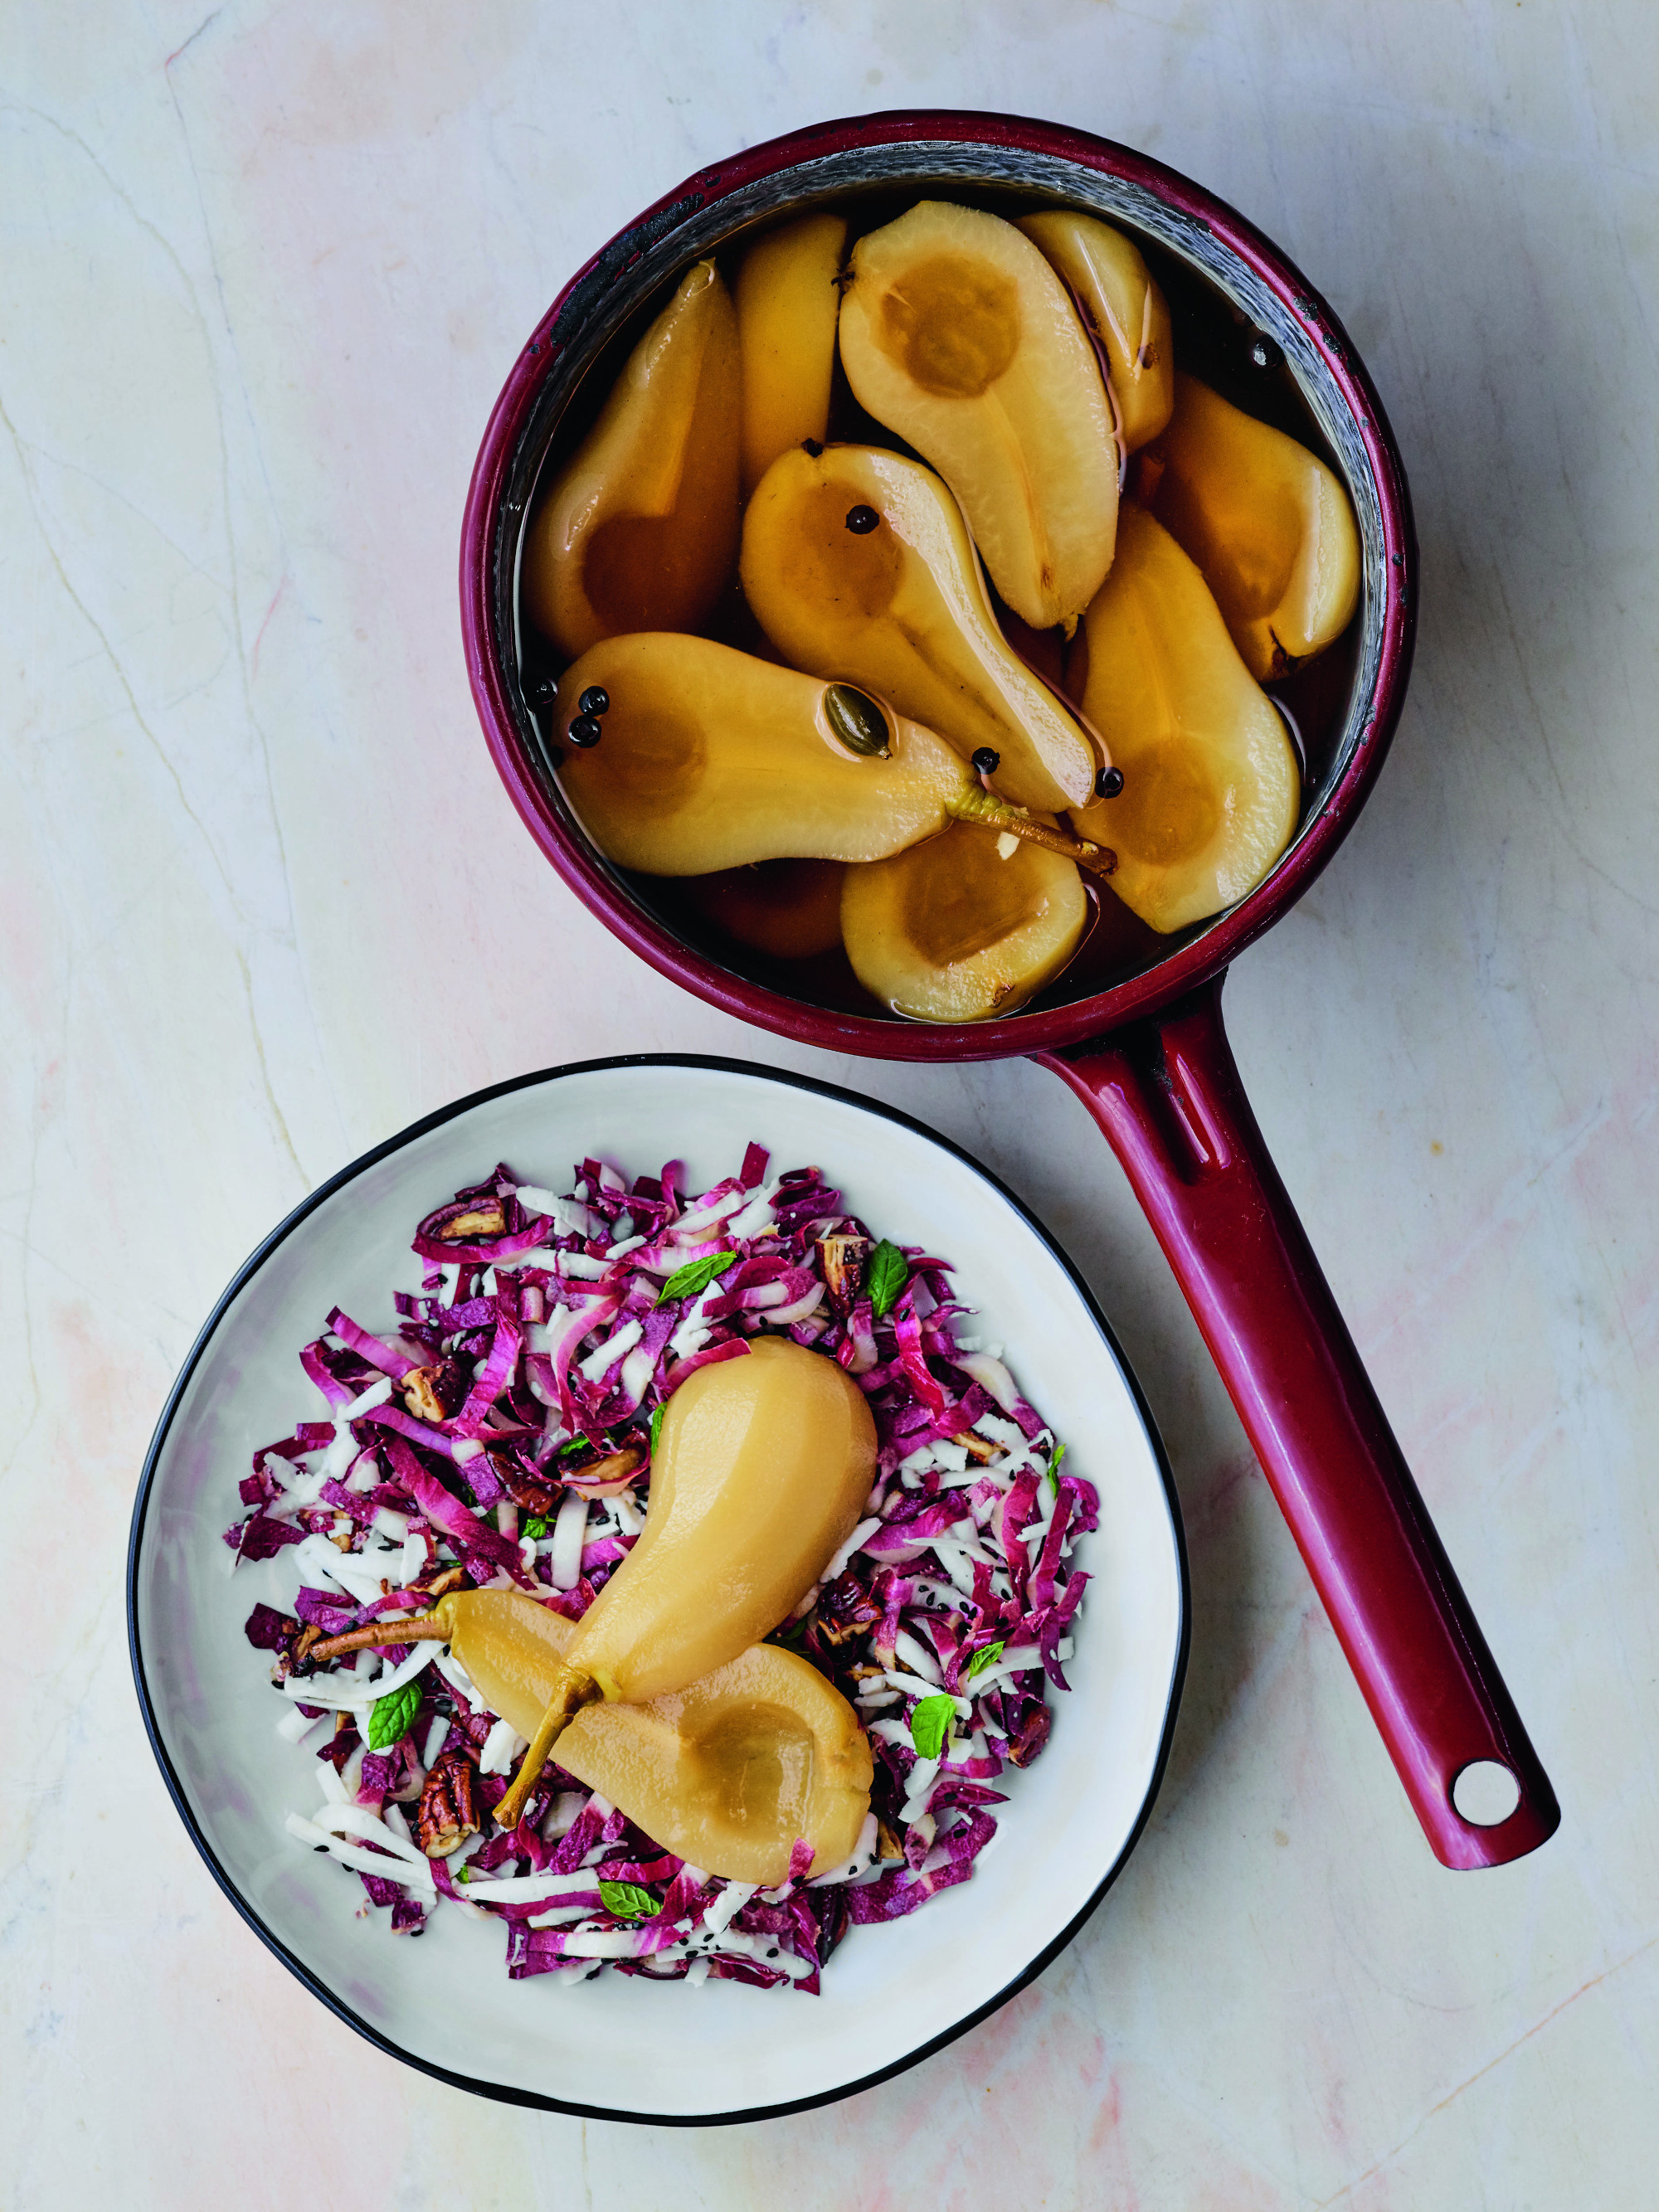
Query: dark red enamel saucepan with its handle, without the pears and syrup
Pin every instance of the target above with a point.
(1145, 1050)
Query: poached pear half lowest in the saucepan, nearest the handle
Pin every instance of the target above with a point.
(952, 932)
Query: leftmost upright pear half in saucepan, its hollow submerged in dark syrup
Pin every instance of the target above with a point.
(640, 528)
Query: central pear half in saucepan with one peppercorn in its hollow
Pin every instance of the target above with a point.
(901, 609)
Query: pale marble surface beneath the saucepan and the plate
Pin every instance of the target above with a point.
(264, 901)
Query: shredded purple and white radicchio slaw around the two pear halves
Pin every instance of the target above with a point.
(499, 1434)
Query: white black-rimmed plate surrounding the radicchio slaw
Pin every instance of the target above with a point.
(618, 2047)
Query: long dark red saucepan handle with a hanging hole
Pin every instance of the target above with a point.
(1167, 1094)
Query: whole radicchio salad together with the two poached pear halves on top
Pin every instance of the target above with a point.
(494, 1457)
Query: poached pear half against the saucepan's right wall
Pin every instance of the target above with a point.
(1269, 525)
